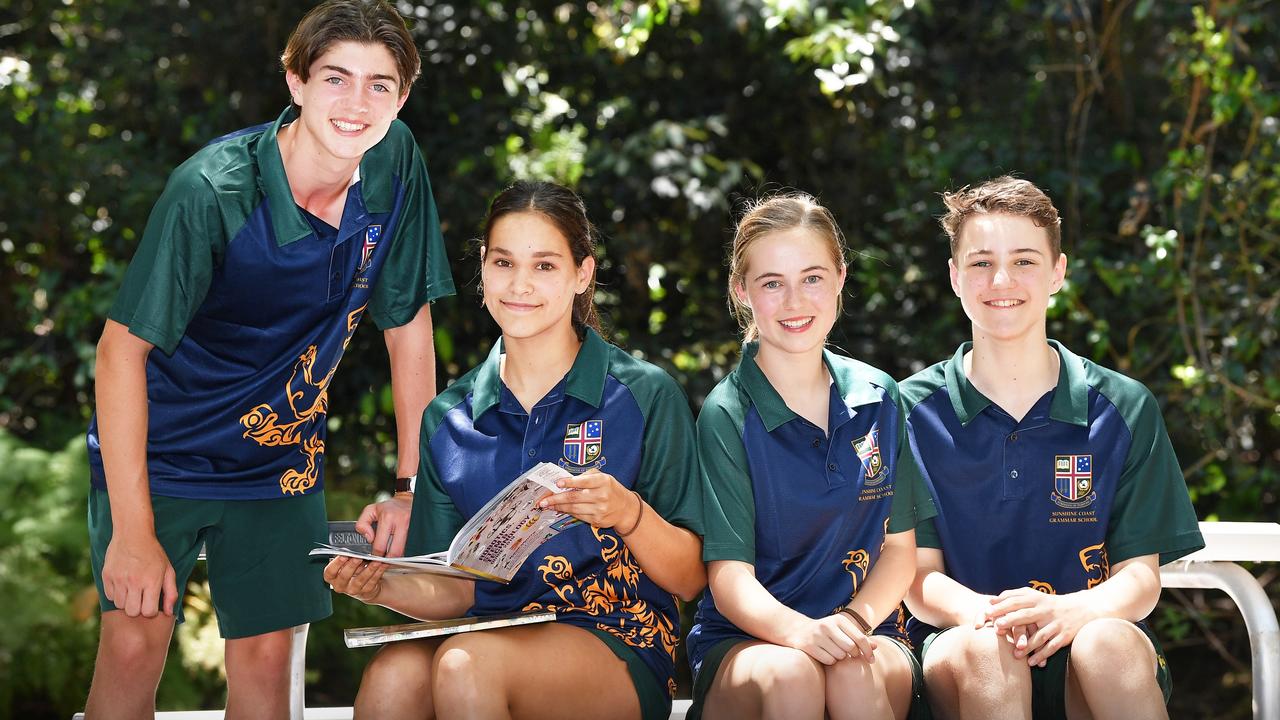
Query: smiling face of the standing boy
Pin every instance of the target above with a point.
(350, 99)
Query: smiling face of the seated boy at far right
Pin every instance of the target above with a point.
(1004, 274)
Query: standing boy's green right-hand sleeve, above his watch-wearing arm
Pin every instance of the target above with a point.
(418, 270)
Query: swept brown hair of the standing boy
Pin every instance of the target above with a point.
(372, 22)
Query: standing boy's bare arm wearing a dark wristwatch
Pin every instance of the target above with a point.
(412, 349)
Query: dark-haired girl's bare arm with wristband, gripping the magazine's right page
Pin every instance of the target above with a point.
(670, 555)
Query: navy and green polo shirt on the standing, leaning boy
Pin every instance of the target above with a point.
(252, 302)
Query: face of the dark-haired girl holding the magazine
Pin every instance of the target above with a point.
(531, 279)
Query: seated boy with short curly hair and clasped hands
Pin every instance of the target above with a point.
(1057, 487)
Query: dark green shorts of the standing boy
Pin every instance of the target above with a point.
(260, 576)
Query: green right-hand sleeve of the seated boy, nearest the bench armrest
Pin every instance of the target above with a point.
(1153, 511)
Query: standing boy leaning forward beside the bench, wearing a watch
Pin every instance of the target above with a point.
(258, 263)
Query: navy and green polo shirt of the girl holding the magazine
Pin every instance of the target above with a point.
(611, 412)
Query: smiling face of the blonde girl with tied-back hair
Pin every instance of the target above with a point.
(793, 285)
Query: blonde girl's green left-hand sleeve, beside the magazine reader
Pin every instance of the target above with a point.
(729, 502)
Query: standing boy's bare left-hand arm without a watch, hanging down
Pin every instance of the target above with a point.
(138, 576)
